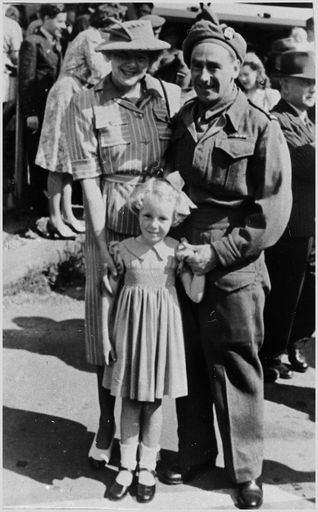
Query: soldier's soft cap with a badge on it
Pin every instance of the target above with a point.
(206, 31)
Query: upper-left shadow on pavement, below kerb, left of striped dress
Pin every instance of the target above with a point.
(41, 335)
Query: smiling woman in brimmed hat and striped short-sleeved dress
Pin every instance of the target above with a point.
(118, 131)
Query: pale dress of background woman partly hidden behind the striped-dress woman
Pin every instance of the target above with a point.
(82, 66)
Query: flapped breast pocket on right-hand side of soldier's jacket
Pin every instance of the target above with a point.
(229, 162)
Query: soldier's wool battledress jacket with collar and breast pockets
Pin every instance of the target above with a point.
(239, 175)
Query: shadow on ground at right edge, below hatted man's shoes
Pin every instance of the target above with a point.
(300, 398)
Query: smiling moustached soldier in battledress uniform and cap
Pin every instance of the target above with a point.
(236, 167)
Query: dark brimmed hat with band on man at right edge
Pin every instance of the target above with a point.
(299, 64)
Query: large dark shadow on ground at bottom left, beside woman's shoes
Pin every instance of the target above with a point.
(45, 448)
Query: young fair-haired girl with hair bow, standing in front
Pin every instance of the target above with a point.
(147, 336)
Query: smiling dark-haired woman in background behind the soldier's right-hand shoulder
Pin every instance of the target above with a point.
(255, 83)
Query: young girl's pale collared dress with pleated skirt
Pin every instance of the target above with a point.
(147, 329)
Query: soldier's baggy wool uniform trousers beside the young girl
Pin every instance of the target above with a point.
(223, 335)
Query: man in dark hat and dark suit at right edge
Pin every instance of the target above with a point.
(288, 260)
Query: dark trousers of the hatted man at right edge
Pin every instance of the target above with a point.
(287, 262)
